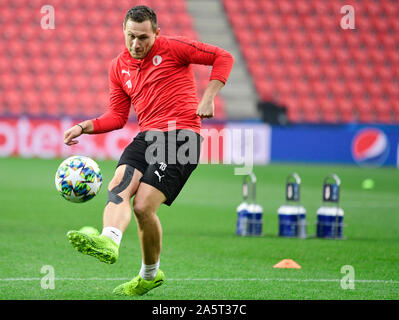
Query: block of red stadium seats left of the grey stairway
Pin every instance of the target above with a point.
(64, 71)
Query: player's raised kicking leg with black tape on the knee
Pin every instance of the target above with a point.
(116, 218)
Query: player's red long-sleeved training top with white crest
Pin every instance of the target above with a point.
(161, 87)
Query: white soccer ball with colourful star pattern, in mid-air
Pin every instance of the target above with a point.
(78, 179)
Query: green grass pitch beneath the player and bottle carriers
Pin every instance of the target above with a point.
(202, 257)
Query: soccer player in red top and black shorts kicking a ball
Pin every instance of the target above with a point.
(154, 74)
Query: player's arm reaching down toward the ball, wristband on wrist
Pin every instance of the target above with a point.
(115, 118)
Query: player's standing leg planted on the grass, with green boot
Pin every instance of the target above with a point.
(145, 204)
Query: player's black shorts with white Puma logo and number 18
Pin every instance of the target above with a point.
(166, 159)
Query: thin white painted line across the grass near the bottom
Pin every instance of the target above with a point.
(209, 279)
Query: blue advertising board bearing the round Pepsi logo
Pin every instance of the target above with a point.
(365, 145)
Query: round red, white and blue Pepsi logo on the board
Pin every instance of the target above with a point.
(370, 147)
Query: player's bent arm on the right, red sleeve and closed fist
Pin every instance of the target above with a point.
(189, 51)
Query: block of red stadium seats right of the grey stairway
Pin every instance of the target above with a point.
(300, 57)
